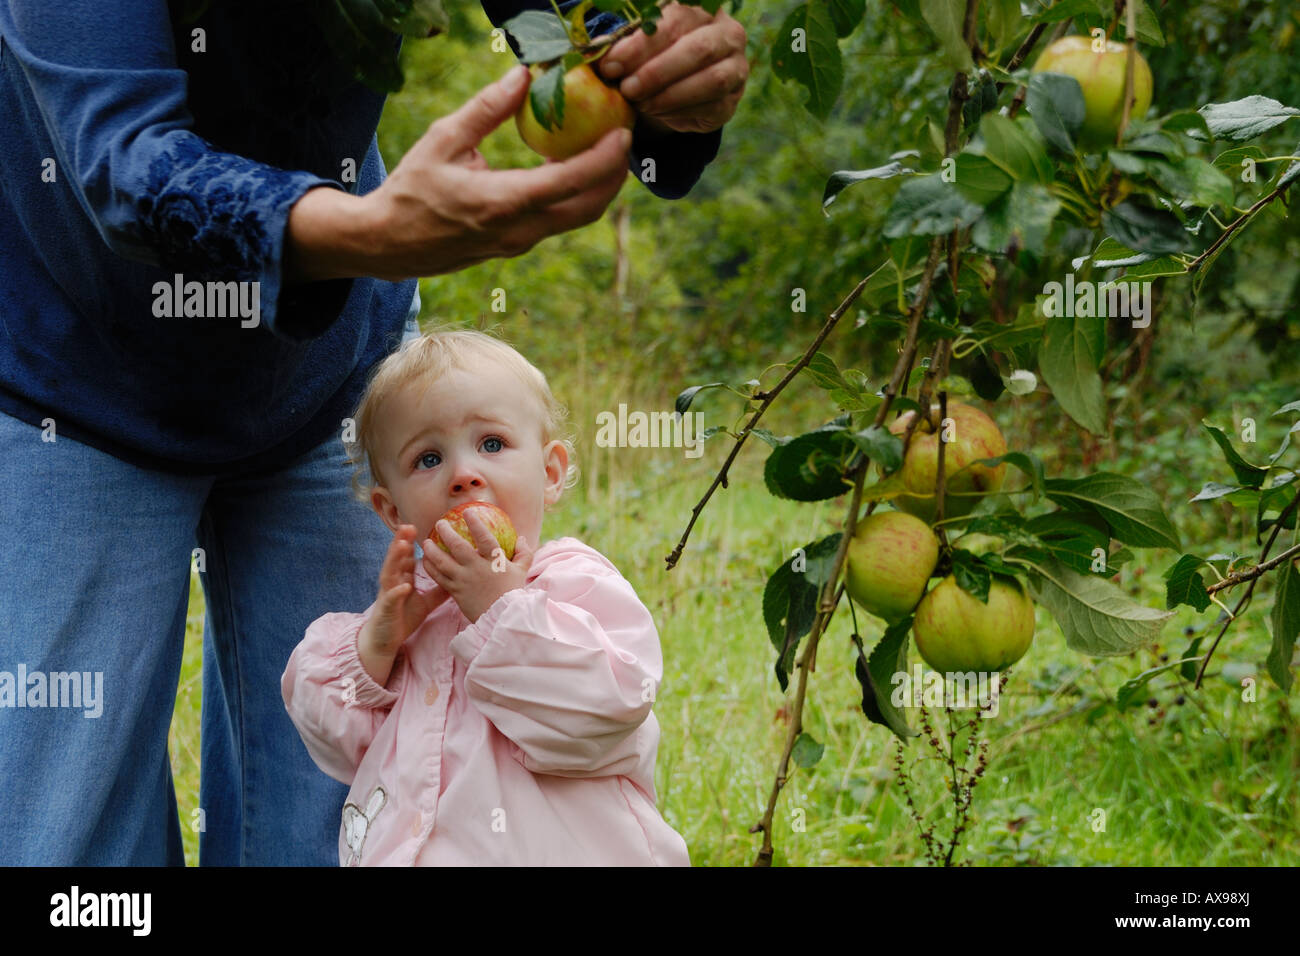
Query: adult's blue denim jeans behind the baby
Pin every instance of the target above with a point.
(96, 560)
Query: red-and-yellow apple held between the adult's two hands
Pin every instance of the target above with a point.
(591, 111)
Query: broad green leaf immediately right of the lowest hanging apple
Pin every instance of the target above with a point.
(1097, 617)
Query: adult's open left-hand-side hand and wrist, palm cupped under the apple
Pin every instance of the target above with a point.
(443, 209)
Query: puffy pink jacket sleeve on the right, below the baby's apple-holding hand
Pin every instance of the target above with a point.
(567, 669)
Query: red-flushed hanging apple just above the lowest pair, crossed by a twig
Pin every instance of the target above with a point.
(972, 436)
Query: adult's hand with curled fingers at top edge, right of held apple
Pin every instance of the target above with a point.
(688, 76)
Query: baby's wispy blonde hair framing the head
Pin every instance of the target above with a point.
(422, 361)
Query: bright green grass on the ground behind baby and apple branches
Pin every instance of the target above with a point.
(1212, 782)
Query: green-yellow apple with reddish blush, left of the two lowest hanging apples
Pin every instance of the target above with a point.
(891, 559)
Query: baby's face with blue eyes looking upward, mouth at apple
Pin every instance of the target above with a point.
(474, 435)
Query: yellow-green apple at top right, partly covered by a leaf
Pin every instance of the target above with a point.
(1102, 75)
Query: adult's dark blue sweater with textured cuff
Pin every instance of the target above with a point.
(129, 159)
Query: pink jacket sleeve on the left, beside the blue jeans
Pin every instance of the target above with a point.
(336, 706)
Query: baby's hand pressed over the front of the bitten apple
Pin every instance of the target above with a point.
(475, 578)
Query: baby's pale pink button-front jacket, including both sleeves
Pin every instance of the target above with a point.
(526, 738)
